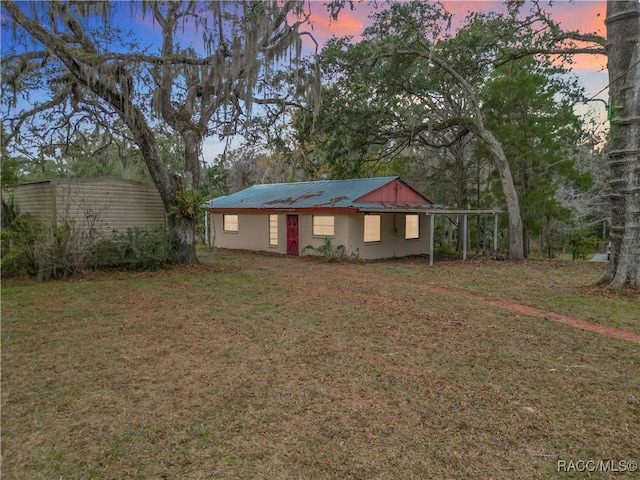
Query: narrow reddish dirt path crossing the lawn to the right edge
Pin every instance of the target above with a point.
(526, 310)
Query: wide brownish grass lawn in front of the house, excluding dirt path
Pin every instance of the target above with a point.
(259, 366)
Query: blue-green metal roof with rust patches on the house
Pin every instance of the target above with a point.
(309, 195)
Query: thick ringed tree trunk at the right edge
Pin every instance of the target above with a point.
(623, 33)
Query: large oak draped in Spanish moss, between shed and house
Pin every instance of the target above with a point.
(73, 63)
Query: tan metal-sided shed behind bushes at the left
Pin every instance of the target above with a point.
(98, 206)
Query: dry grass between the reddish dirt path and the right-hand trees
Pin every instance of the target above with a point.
(564, 287)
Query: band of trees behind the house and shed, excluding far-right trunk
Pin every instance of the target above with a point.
(474, 117)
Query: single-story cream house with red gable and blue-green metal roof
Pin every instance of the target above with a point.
(371, 217)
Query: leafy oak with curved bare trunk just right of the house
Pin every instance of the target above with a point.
(414, 80)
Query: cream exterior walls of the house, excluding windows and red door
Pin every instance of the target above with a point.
(253, 234)
